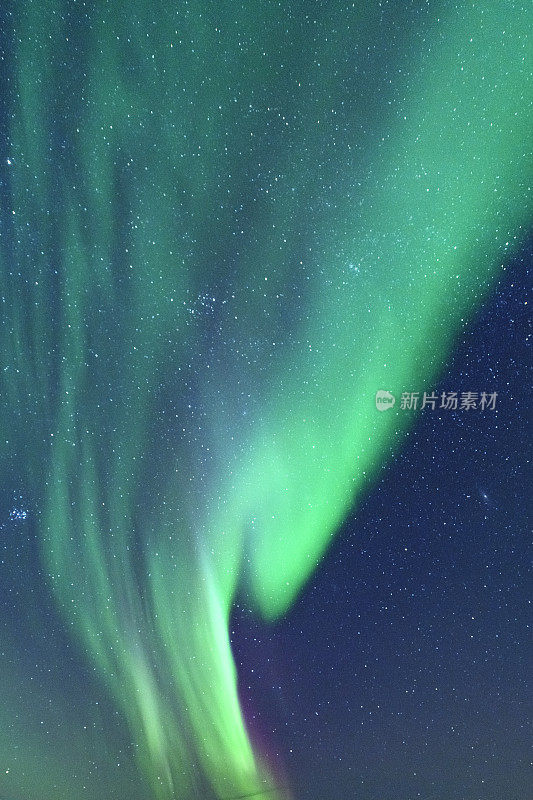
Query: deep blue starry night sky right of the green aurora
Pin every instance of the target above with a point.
(403, 671)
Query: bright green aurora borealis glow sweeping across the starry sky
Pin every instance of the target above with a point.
(224, 228)
